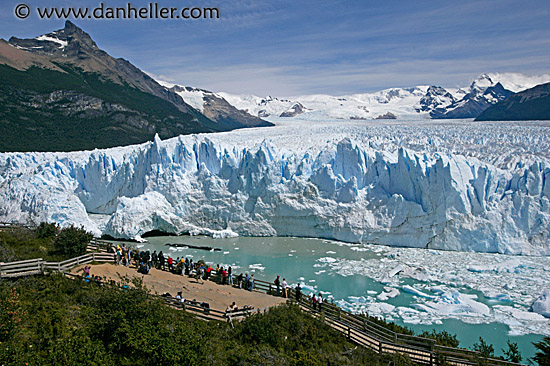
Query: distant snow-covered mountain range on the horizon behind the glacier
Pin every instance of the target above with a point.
(404, 103)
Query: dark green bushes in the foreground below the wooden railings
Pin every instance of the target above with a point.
(55, 320)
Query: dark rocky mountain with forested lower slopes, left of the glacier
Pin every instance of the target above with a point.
(61, 92)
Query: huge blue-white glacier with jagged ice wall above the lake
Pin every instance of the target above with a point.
(452, 185)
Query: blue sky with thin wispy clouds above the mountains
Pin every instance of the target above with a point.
(289, 48)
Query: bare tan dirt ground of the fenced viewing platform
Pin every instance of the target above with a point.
(160, 282)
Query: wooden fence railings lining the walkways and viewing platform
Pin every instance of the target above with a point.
(357, 328)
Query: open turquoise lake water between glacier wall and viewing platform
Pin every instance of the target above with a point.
(298, 260)
